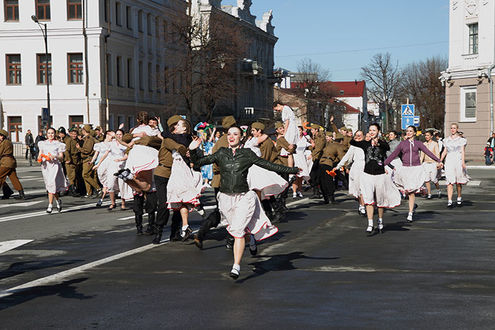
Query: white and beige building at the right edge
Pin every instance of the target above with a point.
(468, 79)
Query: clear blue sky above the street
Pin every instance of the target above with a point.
(342, 36)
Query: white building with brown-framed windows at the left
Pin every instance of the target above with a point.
(106, 58)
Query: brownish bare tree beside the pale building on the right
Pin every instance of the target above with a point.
(421, 85)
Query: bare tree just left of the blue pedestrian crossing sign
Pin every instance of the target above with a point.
(383, 76)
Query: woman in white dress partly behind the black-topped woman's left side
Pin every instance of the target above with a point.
(355, 155)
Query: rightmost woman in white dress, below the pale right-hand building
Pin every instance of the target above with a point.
(455, 165)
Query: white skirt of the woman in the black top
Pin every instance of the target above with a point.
(381, 186)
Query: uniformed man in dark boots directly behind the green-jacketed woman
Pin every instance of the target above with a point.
(214, 218)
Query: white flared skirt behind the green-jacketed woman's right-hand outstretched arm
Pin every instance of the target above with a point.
(268, 182)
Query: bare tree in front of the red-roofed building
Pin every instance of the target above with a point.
(312, 84)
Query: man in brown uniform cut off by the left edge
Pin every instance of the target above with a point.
(8, 165)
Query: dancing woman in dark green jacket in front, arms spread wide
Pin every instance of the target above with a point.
(239, 206)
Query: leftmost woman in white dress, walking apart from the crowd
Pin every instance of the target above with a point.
(51, 153)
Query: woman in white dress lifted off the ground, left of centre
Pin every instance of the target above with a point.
(142, 159)
